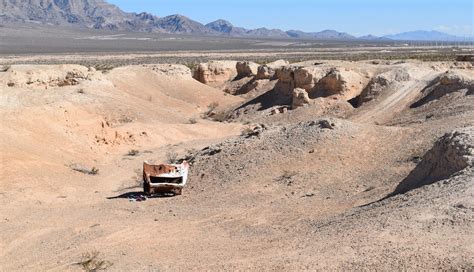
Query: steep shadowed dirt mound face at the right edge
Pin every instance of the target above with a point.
(451, 154)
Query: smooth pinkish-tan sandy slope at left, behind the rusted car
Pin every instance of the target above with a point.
(46, 128)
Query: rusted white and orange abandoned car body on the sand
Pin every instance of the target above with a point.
(164, 178)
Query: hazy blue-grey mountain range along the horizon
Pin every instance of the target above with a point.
(98, 14)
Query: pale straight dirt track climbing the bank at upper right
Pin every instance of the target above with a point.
(395, 102)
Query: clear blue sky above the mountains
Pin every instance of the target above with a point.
(357, 17)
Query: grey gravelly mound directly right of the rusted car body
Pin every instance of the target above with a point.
(262, 146)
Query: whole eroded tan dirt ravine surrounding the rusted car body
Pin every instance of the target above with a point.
(333, 182)
